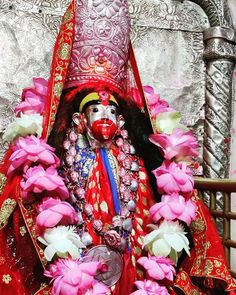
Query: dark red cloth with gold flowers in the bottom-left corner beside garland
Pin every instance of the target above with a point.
(21, 272)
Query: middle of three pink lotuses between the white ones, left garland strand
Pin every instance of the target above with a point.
(37, 180)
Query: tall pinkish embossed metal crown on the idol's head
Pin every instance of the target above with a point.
(100, 47)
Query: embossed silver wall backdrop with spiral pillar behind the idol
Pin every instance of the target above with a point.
(168, 38)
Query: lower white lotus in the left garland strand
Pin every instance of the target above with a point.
(61, 240)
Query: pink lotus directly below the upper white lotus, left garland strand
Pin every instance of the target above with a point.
(31, 149)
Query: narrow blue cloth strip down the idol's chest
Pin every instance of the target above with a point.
(115, 195)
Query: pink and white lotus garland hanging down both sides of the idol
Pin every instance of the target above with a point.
(57, 219)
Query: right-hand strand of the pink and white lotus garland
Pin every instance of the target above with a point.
(174, 178)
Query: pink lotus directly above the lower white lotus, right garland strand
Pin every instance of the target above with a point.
(174, 207)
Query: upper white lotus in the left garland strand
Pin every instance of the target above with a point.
(26, 124)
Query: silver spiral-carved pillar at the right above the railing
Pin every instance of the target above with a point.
(220, 56)
